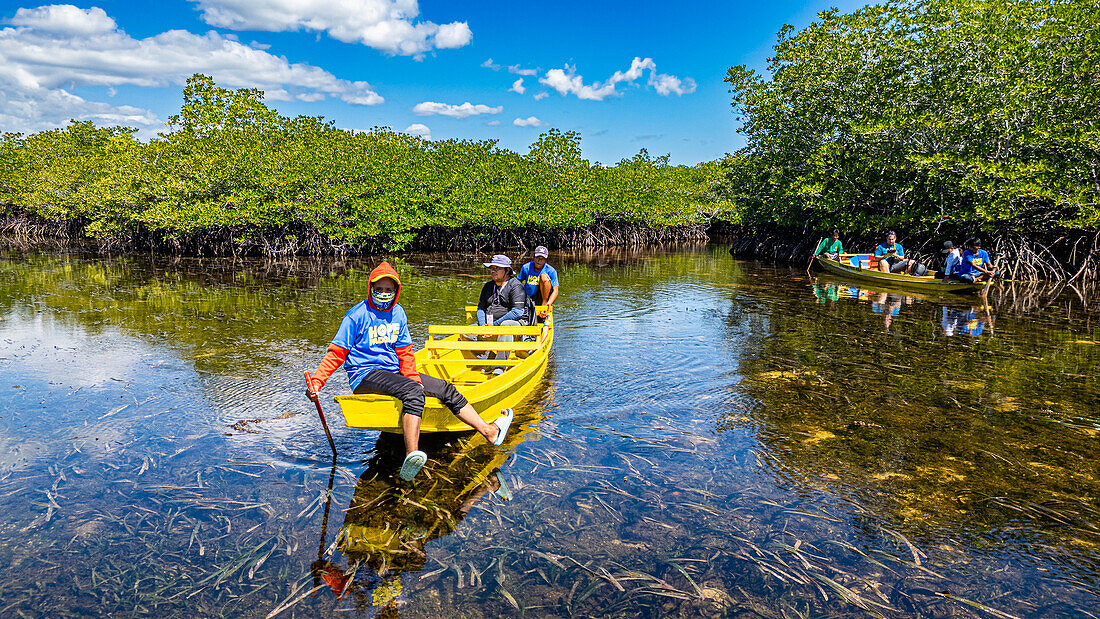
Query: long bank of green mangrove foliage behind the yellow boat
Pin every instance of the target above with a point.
(230, 164)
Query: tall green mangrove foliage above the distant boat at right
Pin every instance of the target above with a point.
(921, 112)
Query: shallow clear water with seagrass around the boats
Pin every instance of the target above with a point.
(714, 438)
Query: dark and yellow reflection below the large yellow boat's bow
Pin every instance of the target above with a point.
(389, 522)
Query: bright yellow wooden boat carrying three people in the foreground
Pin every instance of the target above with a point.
(453, 358)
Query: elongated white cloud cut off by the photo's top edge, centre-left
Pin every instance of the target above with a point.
(387, 26)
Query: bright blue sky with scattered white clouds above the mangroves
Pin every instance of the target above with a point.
(624, 75)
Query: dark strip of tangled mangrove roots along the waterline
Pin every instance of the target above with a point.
(1054, 256)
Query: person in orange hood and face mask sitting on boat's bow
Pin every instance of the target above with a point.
(375, 346)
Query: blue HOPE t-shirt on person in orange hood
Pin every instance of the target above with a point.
(370, 337)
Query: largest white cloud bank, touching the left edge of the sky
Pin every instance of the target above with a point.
(50, 50)
